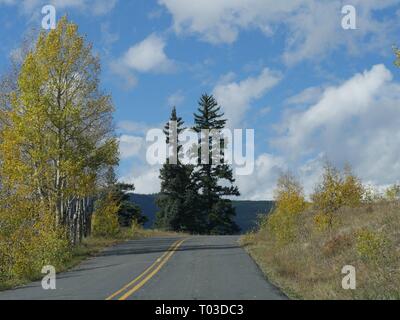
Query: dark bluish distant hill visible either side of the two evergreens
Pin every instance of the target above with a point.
(246, 211)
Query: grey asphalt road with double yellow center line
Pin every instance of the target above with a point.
(193, 268)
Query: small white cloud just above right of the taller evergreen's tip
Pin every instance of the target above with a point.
(236, 97)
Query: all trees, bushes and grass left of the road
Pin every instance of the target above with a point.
(59, 199)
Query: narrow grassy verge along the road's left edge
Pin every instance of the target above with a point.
(91, 247)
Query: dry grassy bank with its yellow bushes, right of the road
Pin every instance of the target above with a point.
(303, 245)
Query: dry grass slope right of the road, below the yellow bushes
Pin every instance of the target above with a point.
(367, 238)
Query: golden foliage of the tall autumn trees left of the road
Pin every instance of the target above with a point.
(55, 138)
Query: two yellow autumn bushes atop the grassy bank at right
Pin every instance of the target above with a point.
(336, 190)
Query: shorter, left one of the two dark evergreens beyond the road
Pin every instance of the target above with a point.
(178, 192)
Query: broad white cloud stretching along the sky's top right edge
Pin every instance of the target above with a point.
(313, 27)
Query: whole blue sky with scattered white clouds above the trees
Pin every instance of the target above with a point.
(287, 69)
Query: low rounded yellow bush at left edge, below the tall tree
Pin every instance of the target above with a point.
(29, 240)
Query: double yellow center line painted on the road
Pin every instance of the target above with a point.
(133, 286)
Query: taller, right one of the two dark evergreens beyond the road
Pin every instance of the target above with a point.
(217, 211)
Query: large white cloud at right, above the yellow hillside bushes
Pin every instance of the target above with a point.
(357, 121)
